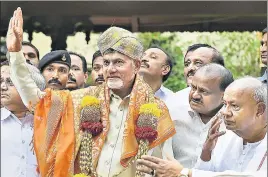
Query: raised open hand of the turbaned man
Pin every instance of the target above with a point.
(15, 32)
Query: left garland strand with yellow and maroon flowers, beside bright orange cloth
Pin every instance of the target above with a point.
(91, 126)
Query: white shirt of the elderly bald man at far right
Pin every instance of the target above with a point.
(230, 154)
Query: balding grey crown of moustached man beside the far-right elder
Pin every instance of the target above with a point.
(213, 71)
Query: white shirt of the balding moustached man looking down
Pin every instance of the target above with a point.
(190, 135)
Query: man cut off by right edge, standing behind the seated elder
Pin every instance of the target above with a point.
(263, 50)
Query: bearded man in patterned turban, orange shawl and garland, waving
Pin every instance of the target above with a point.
(97, 130)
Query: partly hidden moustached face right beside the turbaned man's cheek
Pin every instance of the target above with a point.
(97, 71)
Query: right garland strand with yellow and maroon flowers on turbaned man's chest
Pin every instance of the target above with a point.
(146, 129)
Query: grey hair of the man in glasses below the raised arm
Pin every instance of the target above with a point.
(37, 77)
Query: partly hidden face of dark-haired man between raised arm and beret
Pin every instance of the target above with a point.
(30, 53)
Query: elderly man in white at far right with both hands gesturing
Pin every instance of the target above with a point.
(242, 150)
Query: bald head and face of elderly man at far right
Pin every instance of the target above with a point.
(245, 108)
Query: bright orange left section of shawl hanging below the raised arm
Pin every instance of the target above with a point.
(54, 137)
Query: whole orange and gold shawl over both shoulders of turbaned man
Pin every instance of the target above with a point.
(57, 136)
